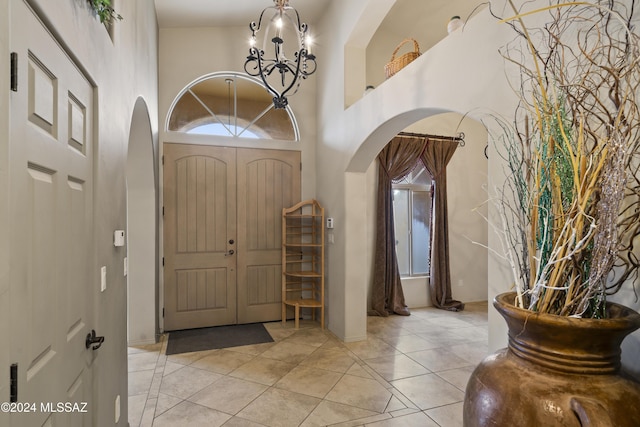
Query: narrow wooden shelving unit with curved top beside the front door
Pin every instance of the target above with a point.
(303, 260)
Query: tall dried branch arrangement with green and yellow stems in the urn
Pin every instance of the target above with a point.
(570, 205)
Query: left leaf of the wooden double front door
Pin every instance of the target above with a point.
(199, 203)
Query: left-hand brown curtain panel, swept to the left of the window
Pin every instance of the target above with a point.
(396, 160)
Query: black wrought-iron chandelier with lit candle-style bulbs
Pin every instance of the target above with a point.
(290, 62)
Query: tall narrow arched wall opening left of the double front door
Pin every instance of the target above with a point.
(142, 231)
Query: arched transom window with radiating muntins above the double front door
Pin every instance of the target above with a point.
(233, 105)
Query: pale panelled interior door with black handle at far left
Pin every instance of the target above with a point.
(52, 288)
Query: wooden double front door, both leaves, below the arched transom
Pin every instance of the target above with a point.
(222, 233)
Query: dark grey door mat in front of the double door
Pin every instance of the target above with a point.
(217, 337)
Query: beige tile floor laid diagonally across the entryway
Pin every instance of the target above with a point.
(411, 371)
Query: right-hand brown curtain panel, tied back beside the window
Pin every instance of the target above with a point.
(435, 157)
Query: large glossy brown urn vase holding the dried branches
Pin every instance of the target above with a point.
(556, 371)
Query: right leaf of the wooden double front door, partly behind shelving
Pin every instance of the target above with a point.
(270, 181)
